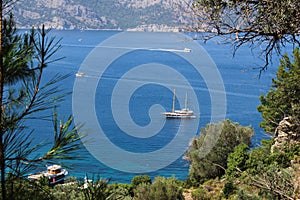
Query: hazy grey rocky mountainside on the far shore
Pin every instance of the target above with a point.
(148, 15)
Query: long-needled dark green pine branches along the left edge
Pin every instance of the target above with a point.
(23, 95)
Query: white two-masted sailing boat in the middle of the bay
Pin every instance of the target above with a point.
(183, 113)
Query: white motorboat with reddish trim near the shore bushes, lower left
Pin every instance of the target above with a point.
(55, 173)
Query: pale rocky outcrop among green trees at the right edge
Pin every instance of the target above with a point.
(287, 133)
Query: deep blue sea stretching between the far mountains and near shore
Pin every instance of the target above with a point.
(105, 59)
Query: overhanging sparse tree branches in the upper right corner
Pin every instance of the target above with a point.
(250, 23)
